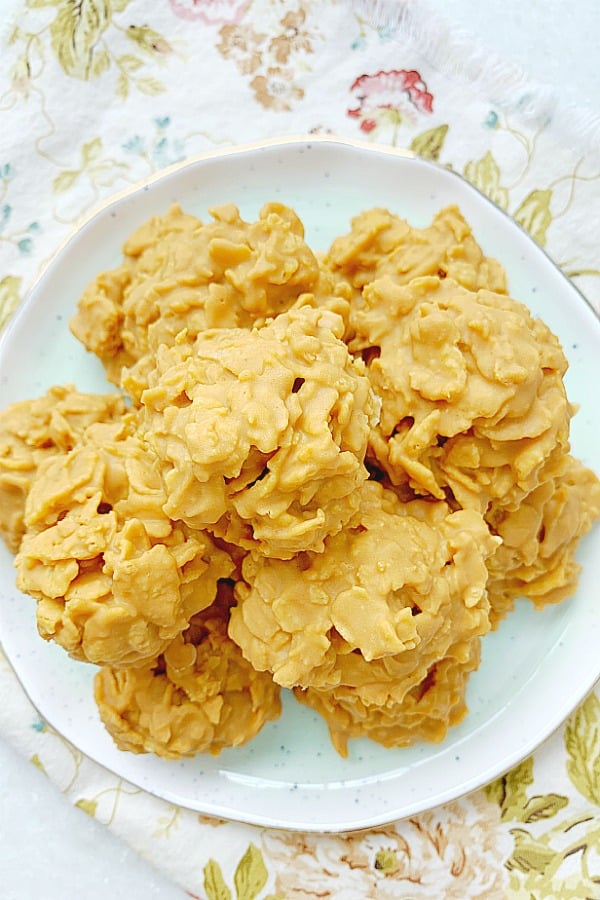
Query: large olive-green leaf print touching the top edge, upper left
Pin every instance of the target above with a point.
(75, 33)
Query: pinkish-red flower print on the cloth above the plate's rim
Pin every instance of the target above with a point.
(387, 99)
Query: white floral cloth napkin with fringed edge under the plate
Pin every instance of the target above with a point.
(99, 94)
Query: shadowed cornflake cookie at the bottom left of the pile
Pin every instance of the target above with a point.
(199, 696)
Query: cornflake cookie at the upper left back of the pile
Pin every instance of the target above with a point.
(178, 273)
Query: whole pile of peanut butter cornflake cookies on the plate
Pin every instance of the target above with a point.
(328, 474)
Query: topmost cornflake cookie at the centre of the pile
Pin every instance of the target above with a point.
(262, 433)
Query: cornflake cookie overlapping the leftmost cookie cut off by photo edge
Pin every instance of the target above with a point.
(115, 580)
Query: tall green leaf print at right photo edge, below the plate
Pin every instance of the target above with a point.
(582, 742)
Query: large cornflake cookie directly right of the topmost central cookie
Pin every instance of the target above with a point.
(473, 400)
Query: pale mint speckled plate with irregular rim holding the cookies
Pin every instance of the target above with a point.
(536, 668)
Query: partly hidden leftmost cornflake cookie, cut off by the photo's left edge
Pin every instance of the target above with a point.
(34, 430)
